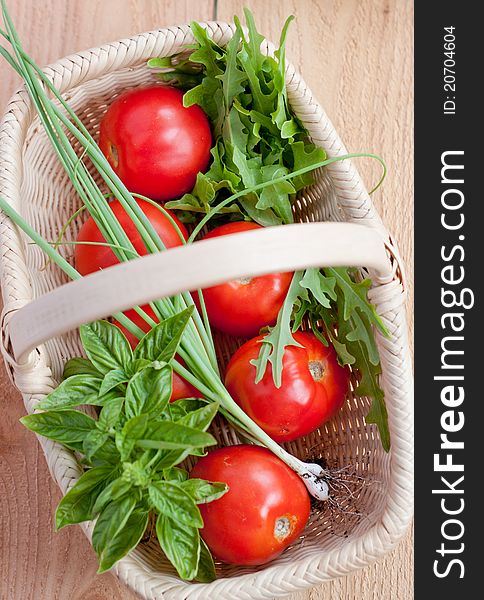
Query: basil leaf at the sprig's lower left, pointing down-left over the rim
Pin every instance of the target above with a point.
(77, 505)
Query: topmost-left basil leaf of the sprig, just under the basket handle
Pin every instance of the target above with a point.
(106, 346)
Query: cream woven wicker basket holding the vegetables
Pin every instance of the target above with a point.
(337, 540)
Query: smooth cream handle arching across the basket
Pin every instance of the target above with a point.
(194, 266)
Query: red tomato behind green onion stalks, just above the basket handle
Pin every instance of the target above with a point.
(92, 258)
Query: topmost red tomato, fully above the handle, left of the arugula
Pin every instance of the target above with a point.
(154, 144)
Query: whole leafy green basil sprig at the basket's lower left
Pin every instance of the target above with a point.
(130, 451)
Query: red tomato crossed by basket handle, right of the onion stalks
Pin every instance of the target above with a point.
(242, 307)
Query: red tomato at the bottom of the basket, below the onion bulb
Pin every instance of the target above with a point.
(264, 511)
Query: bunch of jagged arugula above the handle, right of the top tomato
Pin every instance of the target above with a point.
(257, 137)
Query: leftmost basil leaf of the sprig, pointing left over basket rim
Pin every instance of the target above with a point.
(64, 426)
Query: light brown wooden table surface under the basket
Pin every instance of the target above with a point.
(357, 56)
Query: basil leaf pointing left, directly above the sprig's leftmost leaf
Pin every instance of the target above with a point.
(77, 390)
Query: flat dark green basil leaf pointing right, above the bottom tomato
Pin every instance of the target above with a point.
(165, 435)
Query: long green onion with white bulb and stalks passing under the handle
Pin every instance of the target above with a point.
(196, 346)
